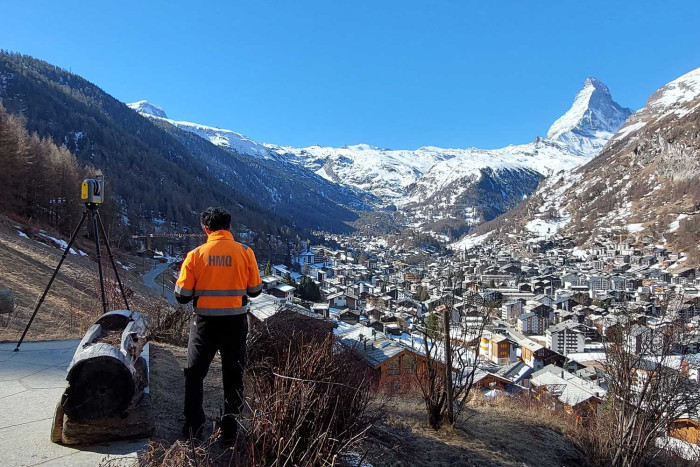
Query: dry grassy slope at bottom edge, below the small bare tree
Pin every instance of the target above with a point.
(498, 432)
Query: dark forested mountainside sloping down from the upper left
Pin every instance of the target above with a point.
(153, 174)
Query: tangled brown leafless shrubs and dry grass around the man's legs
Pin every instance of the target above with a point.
(307, 406)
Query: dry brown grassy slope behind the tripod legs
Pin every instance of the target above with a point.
(27, 260)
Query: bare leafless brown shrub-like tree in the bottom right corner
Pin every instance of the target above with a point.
(648, 386)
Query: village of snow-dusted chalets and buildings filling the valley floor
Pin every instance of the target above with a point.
(549, 307)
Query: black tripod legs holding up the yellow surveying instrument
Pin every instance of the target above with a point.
(98, 228)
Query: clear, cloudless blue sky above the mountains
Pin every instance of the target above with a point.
(387, 73)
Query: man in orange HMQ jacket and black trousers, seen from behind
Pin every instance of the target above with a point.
(218, 276)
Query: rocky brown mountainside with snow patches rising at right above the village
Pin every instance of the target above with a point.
(645, 184)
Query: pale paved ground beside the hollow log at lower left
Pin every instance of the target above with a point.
(31, 383)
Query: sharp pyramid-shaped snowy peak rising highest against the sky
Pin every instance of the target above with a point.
(593, 114)
